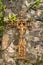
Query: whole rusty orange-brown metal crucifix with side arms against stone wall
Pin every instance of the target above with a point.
(22, 25)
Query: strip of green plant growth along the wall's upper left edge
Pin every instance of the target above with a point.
(2, 12)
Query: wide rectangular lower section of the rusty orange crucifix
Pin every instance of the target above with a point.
(21, 50)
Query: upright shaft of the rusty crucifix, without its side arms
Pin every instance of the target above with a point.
(21, 25)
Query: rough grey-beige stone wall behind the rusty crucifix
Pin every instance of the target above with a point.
(33, 38)
